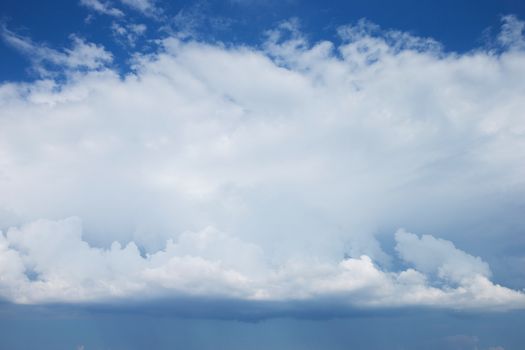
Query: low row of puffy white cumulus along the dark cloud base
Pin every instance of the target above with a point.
(48, 261)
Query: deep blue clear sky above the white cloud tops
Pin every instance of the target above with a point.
(459, 25)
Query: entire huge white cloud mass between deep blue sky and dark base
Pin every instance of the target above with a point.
(274, 173)
